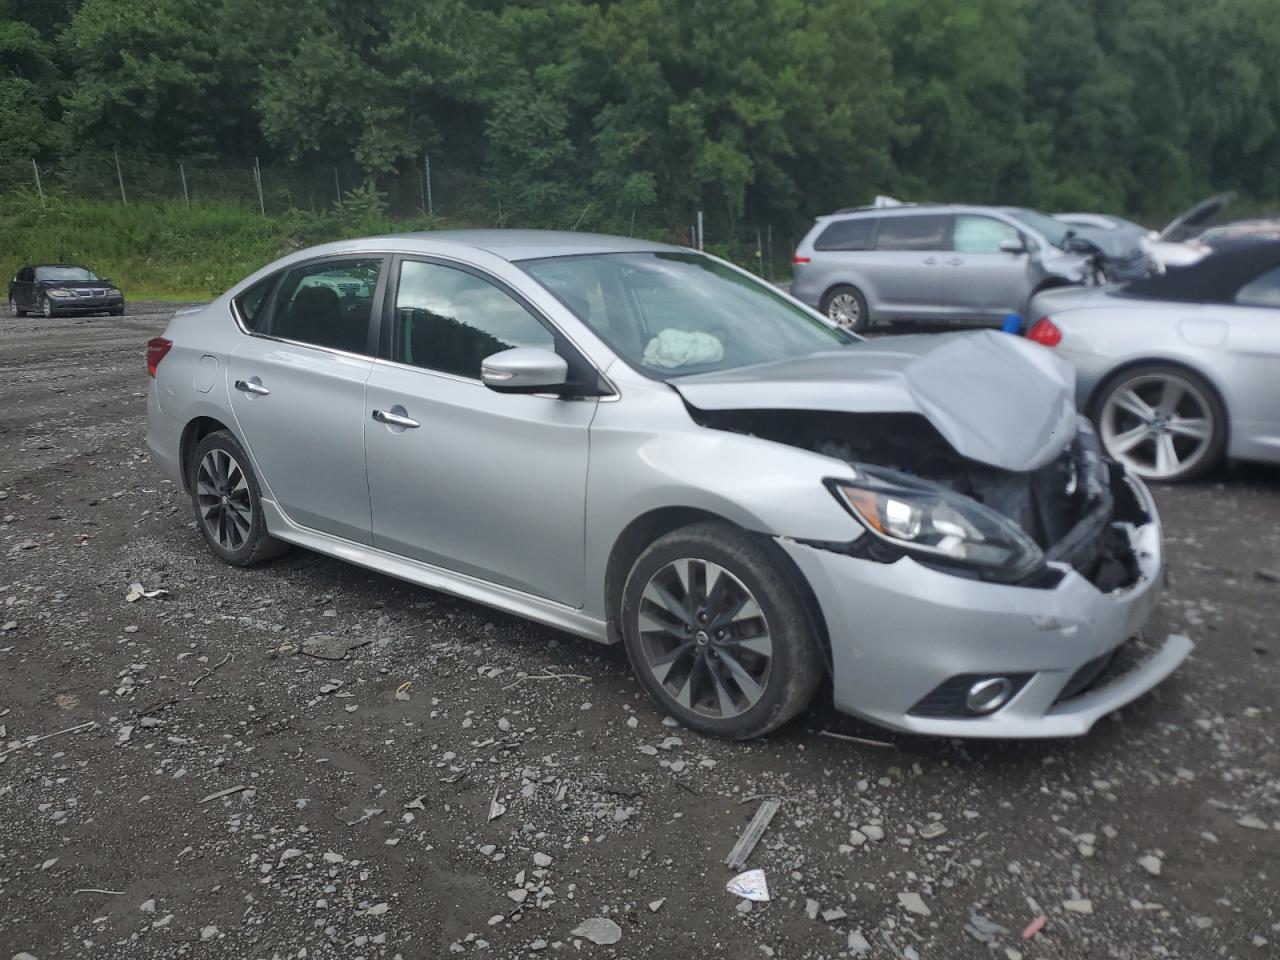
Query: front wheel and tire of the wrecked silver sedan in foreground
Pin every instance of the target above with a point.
(719, 632)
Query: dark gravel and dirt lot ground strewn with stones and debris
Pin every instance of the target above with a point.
(359, 822)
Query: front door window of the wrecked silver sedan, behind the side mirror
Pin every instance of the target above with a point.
(451, 321)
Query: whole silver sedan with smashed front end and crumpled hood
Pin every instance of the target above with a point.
(639, 444)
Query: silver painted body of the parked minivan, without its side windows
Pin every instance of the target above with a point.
(939, 286)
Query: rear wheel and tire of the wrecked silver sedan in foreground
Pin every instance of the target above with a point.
(227, 501)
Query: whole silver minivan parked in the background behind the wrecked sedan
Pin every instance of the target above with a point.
(934, 263)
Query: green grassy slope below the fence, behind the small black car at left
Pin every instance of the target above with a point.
(164, 250)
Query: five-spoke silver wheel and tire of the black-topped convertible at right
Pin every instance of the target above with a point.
(1163, 422)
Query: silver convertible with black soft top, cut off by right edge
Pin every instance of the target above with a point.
(1180, 371)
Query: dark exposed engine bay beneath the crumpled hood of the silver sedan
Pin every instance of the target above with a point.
(1075, 508)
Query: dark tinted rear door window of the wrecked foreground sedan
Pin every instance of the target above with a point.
(330, 304)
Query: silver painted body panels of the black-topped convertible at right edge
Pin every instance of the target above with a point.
(1237, 349)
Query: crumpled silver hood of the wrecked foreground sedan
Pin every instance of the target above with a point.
(995, 399)
